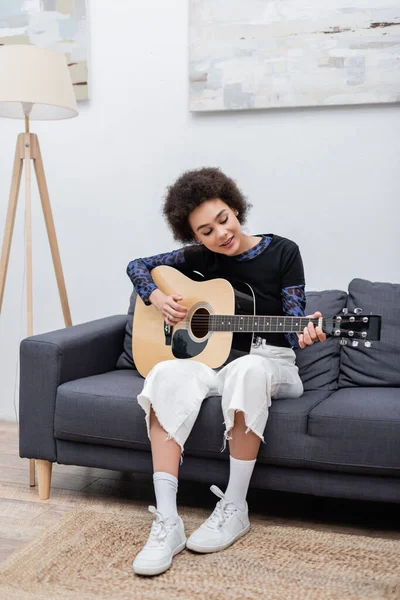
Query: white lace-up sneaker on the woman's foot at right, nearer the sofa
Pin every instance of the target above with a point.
(226, 524)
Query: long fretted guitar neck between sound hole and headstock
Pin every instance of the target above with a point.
(261, 324)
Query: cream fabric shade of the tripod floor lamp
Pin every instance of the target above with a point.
(36, 82)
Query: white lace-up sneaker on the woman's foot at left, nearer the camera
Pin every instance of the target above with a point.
(167, 538)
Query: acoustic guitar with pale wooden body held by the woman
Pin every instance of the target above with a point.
(221, 317)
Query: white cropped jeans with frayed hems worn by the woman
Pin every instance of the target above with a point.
(175, 389)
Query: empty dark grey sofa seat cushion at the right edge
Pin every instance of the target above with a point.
(356, 430)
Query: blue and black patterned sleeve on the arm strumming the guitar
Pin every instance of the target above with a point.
(139, 269)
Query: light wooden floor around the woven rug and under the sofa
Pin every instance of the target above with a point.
(23, 516)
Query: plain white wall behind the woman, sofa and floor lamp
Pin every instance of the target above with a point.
(329, 178)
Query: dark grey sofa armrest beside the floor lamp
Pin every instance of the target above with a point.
(50, 359)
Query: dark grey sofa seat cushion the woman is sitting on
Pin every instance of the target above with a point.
(103, 410)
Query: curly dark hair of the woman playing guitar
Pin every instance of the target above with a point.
(193, 188)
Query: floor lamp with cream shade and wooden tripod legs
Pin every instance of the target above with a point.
(35, 84)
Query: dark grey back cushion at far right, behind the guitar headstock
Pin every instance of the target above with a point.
(380, 364)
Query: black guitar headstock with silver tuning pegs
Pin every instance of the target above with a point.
(353, 328)
